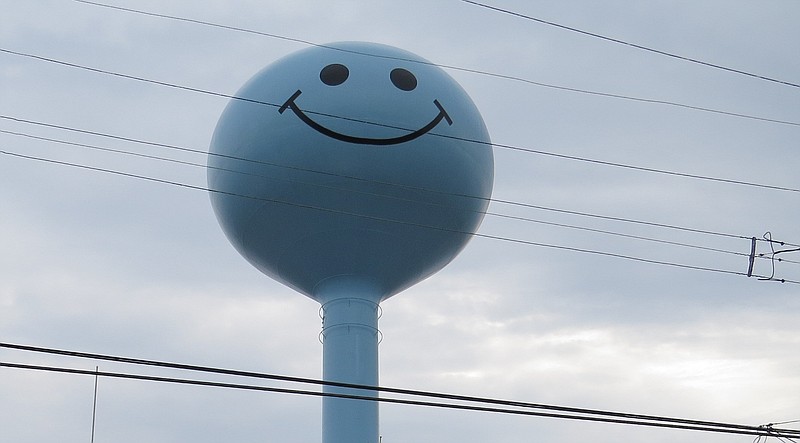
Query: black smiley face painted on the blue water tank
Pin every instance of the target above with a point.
(336, 74)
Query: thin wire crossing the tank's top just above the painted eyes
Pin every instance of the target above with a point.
(444, 66)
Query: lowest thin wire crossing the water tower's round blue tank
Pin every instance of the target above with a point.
(407, 223)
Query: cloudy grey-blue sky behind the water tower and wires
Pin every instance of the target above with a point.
(557, 311)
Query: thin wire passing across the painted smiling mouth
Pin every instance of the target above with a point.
(497, 145)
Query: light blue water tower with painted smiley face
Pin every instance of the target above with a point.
(350, 172)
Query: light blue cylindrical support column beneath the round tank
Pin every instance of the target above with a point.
(350, 355)
